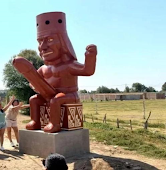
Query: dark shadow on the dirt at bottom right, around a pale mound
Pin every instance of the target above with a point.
(94, 161)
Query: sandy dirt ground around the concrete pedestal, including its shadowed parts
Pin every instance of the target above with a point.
(102, 157)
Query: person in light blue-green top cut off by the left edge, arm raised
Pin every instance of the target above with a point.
(3, 122)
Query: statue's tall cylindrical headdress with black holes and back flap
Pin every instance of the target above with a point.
(55, 23)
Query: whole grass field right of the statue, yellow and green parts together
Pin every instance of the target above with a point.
(151, 142)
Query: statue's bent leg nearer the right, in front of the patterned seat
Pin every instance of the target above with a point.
(55, 109)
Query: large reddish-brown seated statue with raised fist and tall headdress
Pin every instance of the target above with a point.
(55, 81)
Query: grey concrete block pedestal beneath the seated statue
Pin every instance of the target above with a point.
(67, 143)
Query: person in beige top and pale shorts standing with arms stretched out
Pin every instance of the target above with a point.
(11, 119)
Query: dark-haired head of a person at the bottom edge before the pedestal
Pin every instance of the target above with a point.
(55, 161)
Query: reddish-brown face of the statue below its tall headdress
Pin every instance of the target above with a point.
(49, 47)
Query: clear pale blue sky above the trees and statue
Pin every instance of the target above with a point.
(130, 36)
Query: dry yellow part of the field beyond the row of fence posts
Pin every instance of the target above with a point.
(126, 110)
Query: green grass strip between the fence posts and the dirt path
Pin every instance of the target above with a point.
(140, 140)
